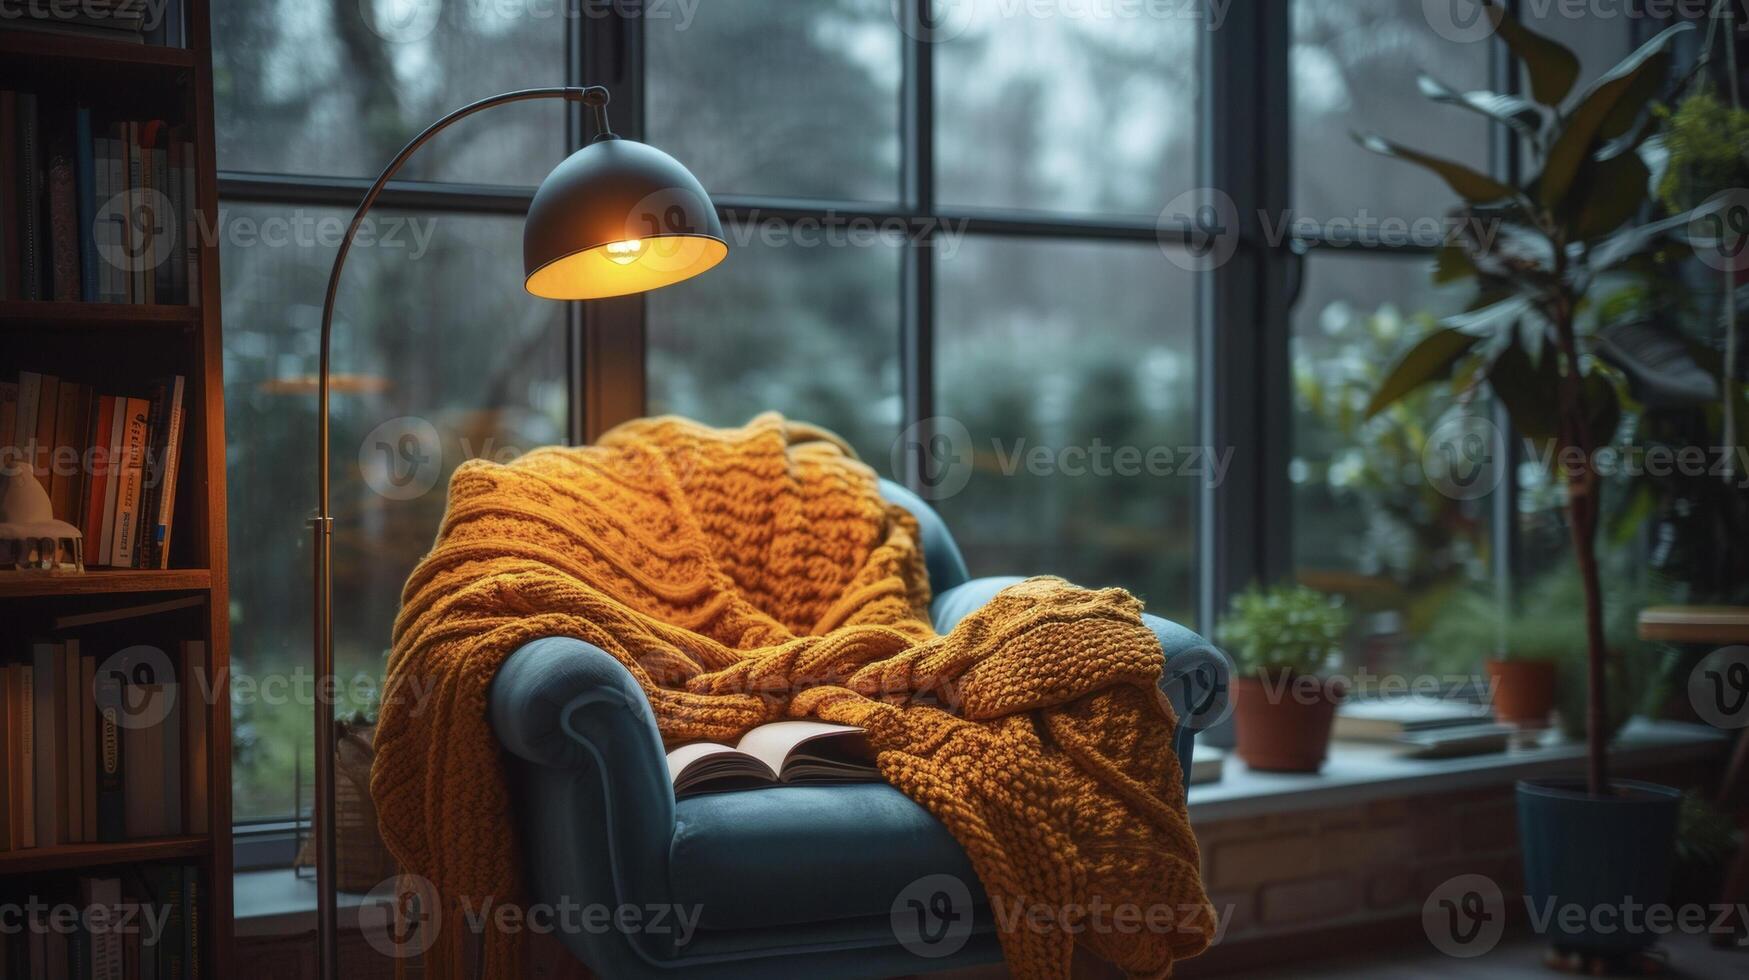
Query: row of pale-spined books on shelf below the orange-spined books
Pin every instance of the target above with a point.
(94, 738)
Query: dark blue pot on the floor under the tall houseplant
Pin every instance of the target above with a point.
(1608, 858)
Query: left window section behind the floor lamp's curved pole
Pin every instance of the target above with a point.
(438, 353)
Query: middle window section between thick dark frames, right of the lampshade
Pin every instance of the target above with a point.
(982, 193)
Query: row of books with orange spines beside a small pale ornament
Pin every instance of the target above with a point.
(109, 463)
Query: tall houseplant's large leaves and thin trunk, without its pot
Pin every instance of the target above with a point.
(1535, 253)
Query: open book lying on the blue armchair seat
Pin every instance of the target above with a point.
(779, 753)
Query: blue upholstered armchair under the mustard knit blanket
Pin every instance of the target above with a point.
(795, 881)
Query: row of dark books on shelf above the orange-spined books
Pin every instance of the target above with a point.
(95, 213)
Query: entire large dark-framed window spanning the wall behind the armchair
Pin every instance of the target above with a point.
(987, 225)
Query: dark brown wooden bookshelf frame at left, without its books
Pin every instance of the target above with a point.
(104, 346)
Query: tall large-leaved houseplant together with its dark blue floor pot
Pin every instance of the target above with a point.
(1536, 251)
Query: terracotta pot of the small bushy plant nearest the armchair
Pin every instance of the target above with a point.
(1285, 722)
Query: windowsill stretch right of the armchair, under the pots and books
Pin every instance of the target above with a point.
(1360, 773)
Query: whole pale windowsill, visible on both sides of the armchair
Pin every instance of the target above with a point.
(281, 904)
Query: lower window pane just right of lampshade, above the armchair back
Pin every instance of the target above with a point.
(793, 325)
